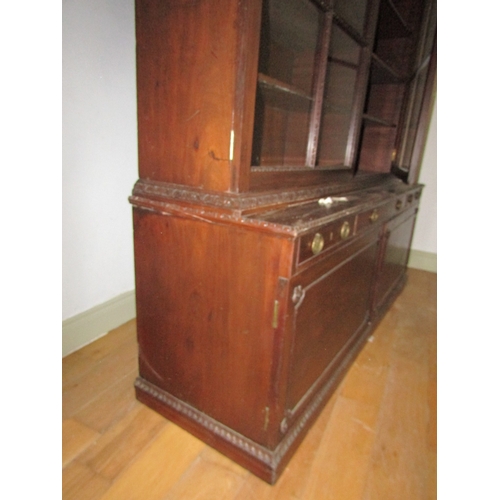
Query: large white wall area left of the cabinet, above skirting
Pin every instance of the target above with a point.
(99, 151)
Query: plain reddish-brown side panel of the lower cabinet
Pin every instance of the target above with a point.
(205, 304)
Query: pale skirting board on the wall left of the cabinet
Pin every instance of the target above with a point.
(96, 322)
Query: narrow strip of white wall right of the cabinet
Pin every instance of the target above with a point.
(425, 236)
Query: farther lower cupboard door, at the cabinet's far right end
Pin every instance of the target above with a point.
(396, 249)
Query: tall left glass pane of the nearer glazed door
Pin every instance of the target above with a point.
(289, 38)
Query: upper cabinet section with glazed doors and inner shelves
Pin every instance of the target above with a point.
(251, 95)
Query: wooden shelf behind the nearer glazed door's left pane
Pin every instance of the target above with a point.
(282, 95)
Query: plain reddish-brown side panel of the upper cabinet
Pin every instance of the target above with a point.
(186, 60)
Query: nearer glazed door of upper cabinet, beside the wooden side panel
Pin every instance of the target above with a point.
(309, 82)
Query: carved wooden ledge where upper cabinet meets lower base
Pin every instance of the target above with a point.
(291, 213)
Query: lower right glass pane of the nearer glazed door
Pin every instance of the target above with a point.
(336, 120)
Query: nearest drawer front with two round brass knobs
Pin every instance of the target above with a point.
(327, 237)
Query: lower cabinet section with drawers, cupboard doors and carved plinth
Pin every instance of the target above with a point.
(246, 324)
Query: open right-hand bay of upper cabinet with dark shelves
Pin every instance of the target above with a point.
(400, 80)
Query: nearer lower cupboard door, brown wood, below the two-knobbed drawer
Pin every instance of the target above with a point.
(330, 310)
